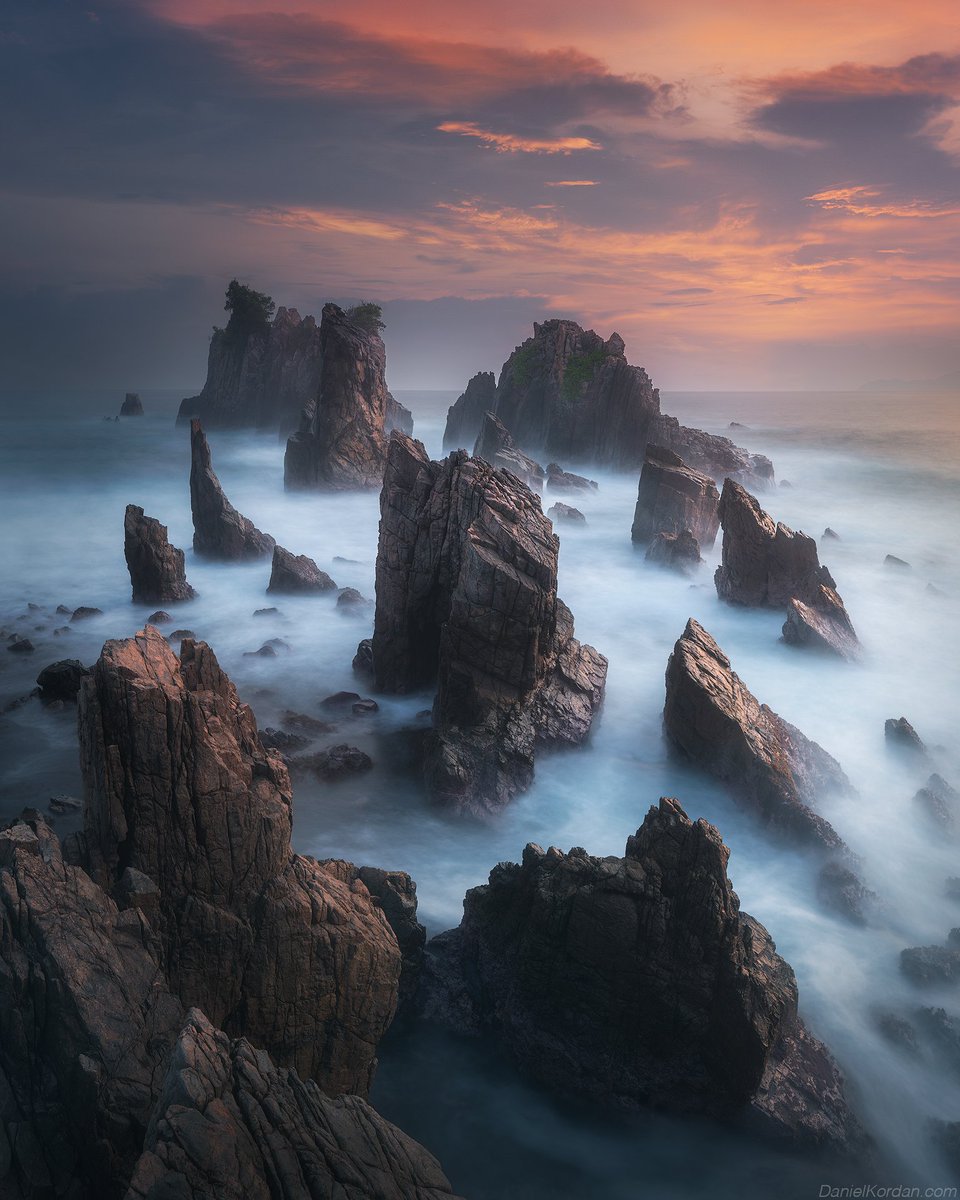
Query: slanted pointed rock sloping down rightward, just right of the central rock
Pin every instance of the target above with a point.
(772, 769)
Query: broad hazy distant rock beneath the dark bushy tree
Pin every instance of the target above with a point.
(262, 379)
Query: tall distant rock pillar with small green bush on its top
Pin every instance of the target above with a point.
(343, 441)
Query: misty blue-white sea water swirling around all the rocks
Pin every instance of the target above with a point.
(881, 471)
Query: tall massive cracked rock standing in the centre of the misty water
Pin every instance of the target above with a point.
(467, 599)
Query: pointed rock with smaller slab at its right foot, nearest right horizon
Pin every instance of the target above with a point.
(765, 563)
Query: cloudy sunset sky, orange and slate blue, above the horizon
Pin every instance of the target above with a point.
(754, 196)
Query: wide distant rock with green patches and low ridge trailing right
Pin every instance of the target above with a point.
(568, 394)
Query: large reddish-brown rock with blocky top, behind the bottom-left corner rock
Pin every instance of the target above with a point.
(271, 945)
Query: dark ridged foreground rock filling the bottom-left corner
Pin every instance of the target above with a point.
(110, 1085)
